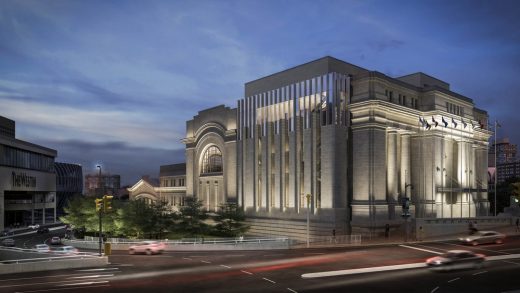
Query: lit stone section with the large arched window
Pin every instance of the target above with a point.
(211, 164)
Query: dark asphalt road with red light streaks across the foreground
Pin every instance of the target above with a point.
(282, 271)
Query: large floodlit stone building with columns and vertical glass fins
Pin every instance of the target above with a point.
(341, 145)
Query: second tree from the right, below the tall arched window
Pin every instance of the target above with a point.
(192, 217)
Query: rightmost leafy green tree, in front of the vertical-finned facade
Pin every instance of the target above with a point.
(230, 221)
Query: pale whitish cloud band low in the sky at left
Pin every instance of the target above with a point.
(95, 125)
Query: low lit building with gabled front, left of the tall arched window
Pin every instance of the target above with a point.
(170, 188)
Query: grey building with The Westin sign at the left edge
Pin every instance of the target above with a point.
(27, 180)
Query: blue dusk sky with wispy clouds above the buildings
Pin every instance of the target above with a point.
(113, 82)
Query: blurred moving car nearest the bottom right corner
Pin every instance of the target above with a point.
(456, 259)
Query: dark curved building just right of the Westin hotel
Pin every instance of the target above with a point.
(69, 183)
